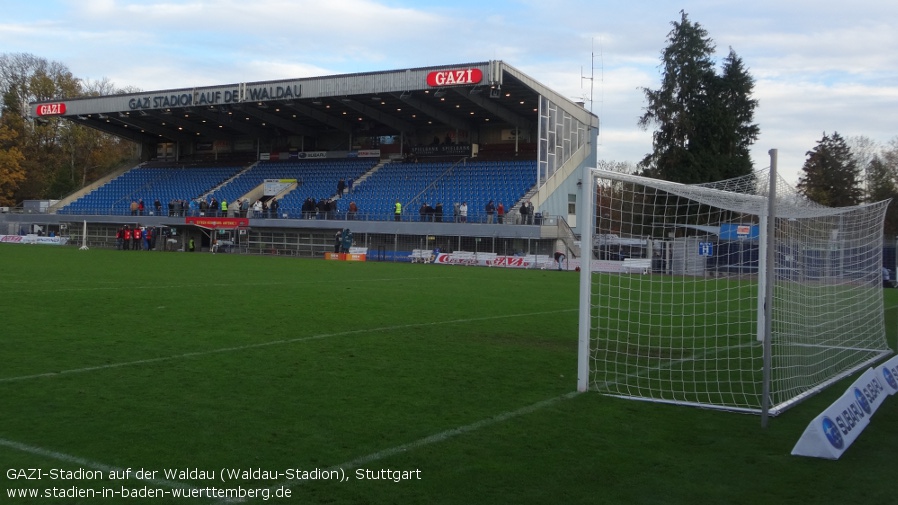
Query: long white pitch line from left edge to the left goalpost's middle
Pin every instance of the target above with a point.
(267, 344)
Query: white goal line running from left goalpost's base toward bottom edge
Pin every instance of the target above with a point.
(433, 439)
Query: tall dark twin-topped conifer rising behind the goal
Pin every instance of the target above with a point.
(705, 120)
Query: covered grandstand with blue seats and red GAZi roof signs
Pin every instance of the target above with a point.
(454, 133)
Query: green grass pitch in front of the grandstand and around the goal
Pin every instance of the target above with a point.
(455, 384)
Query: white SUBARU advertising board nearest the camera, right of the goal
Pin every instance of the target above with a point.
(831, 433)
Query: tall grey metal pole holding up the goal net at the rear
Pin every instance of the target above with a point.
(768, 288)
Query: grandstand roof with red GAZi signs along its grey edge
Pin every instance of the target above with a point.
(460, 97)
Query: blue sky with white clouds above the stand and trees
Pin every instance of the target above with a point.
(819, 66)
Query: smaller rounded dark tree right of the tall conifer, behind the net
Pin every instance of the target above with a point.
(830, 176)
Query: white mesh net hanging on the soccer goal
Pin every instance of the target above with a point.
(678, 280)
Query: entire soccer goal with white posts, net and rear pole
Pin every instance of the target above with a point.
(779, 361)
